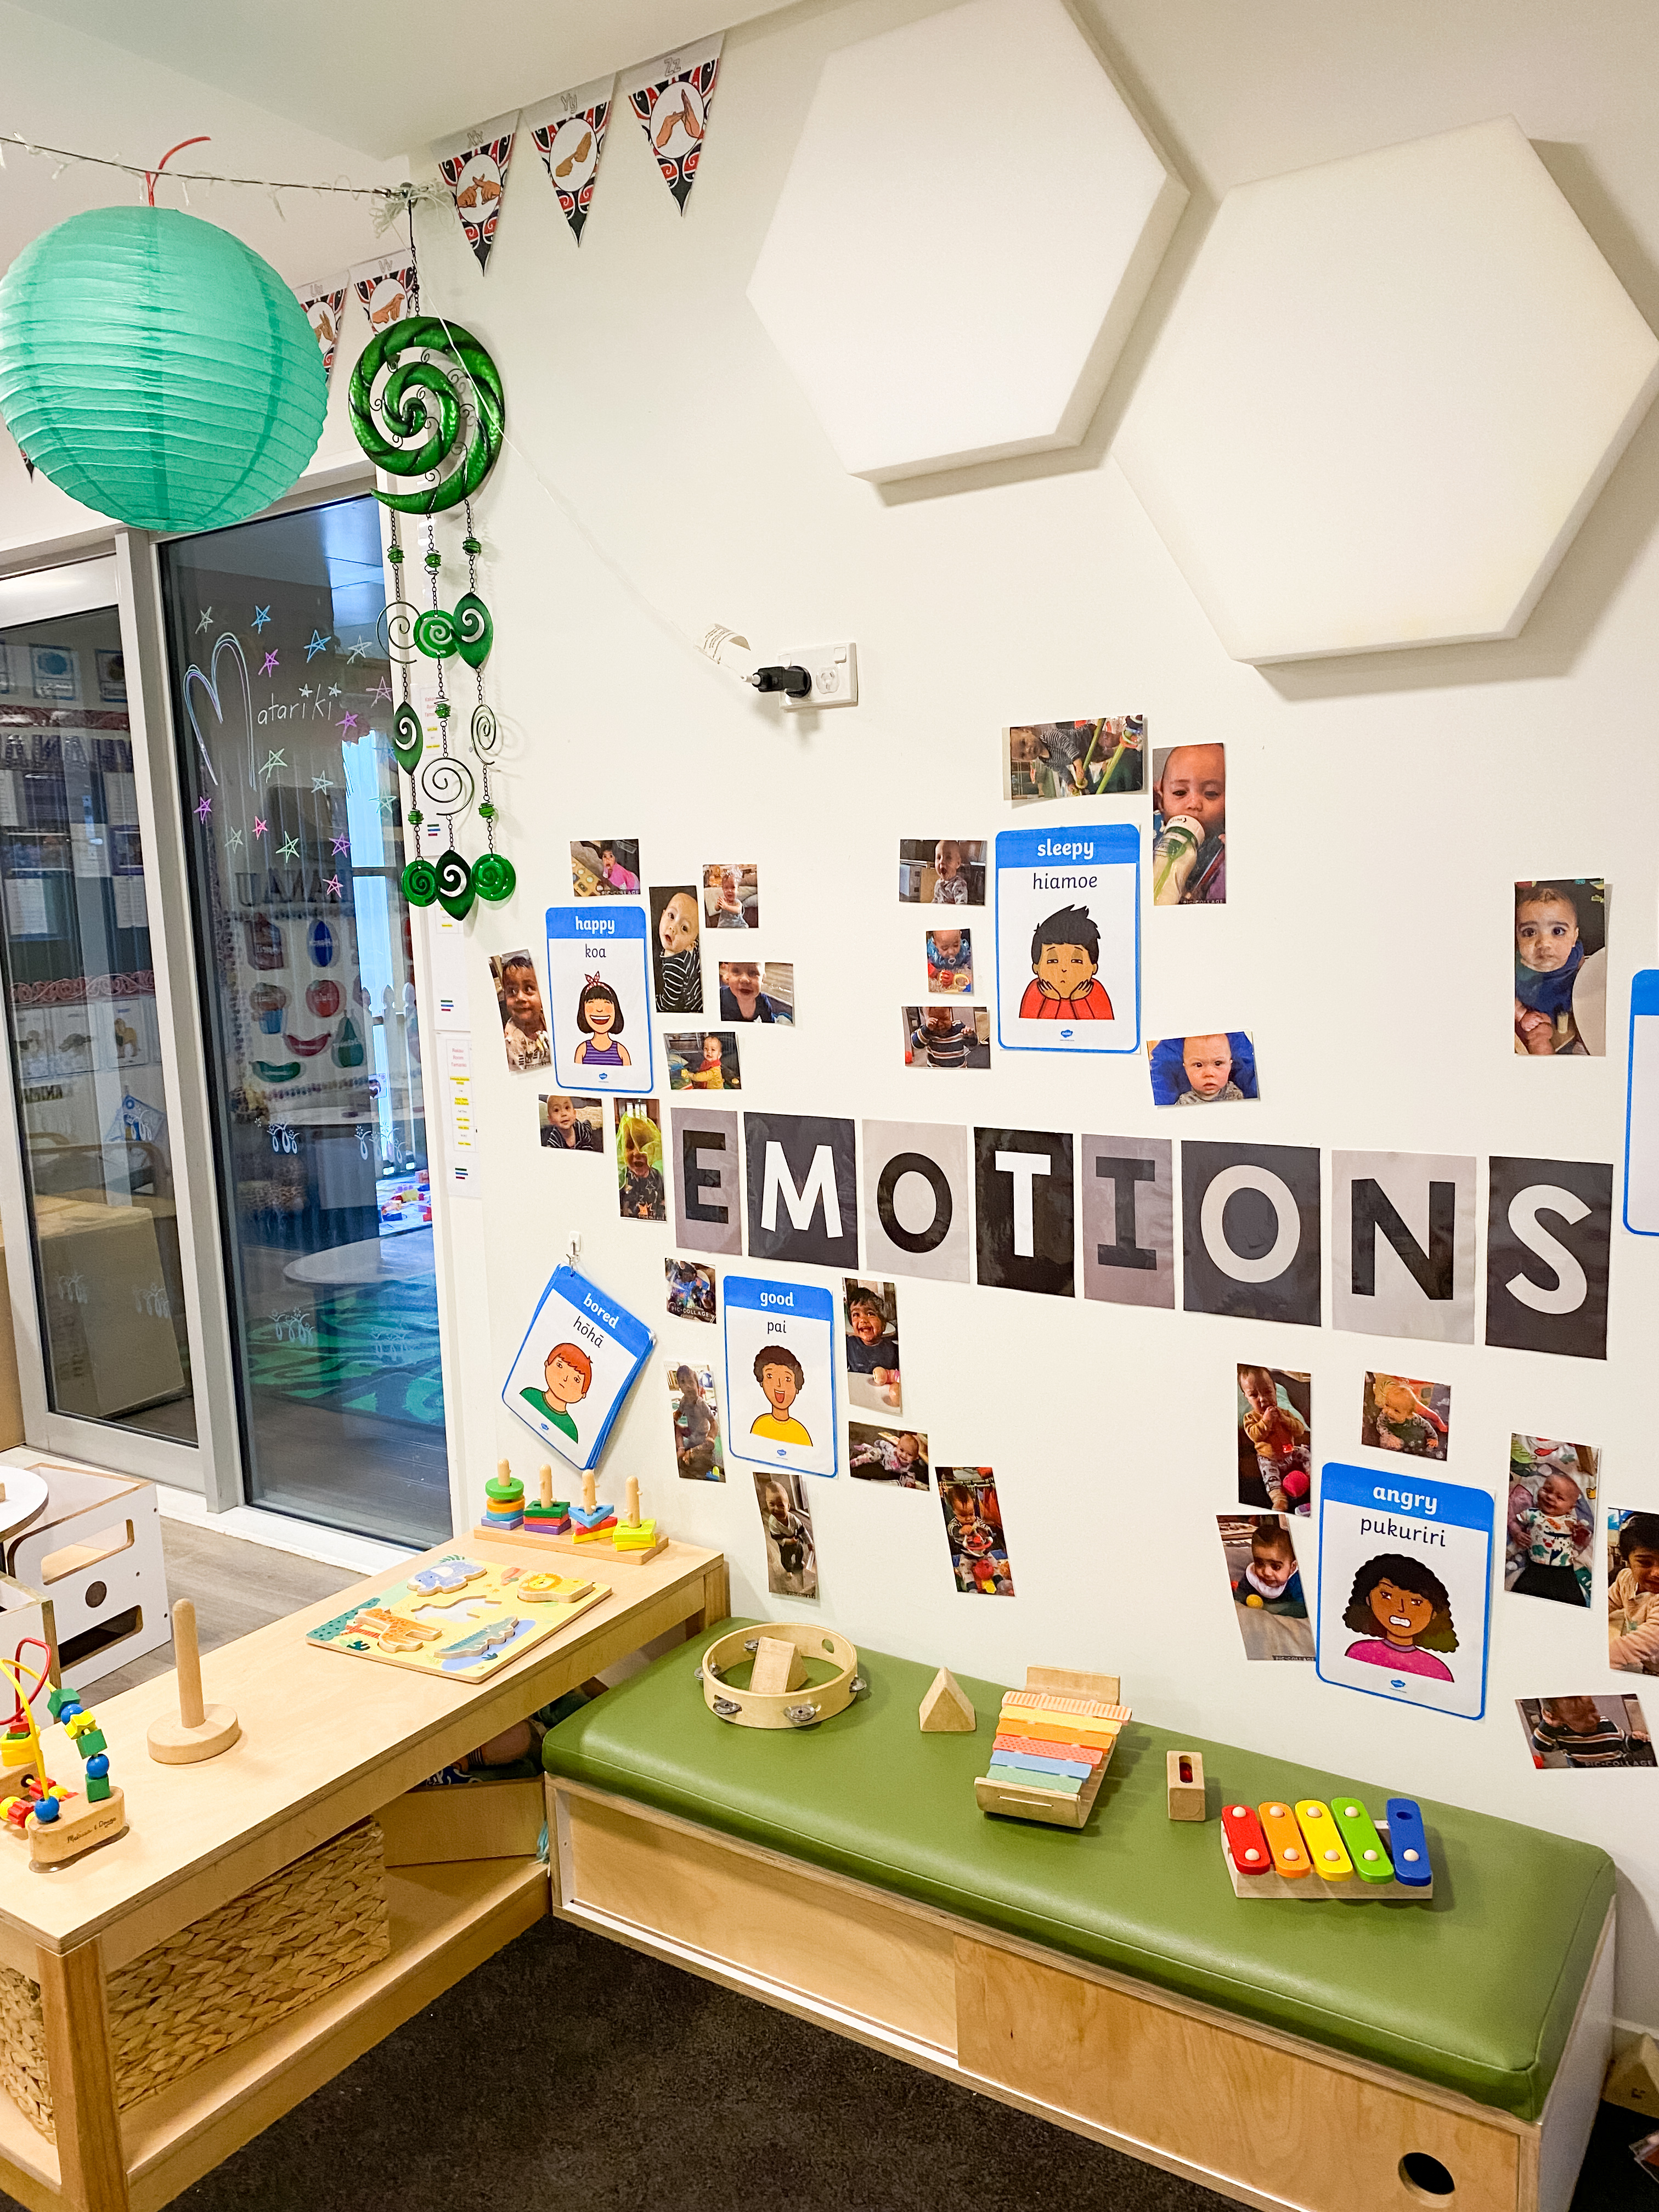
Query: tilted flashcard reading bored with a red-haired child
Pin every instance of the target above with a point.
(578, 1361)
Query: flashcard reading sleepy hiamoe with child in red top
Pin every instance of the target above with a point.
(1070, 939)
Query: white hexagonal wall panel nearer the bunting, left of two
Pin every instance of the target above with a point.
(963, 242)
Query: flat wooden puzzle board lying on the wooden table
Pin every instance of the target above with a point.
(461, 1618)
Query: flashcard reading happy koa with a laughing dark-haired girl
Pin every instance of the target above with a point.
(598, 985)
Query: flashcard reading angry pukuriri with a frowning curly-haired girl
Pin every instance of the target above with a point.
(1406, 1587)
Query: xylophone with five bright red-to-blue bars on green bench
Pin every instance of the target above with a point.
(1337, 1850)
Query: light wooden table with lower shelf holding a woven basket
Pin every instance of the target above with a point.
(326, 1740)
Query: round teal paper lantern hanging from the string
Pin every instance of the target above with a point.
(158, 371)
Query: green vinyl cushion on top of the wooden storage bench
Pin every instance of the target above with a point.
(1472, 1990)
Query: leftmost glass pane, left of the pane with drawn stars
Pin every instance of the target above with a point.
(85, 1041)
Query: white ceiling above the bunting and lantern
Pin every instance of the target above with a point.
(390, 79)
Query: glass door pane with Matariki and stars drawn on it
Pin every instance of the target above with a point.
(284, 709)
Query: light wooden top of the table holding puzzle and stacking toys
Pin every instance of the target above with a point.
(326, 1740)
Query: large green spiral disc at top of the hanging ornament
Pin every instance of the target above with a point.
(421, 401)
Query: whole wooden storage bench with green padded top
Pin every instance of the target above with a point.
(1284, 2054)
